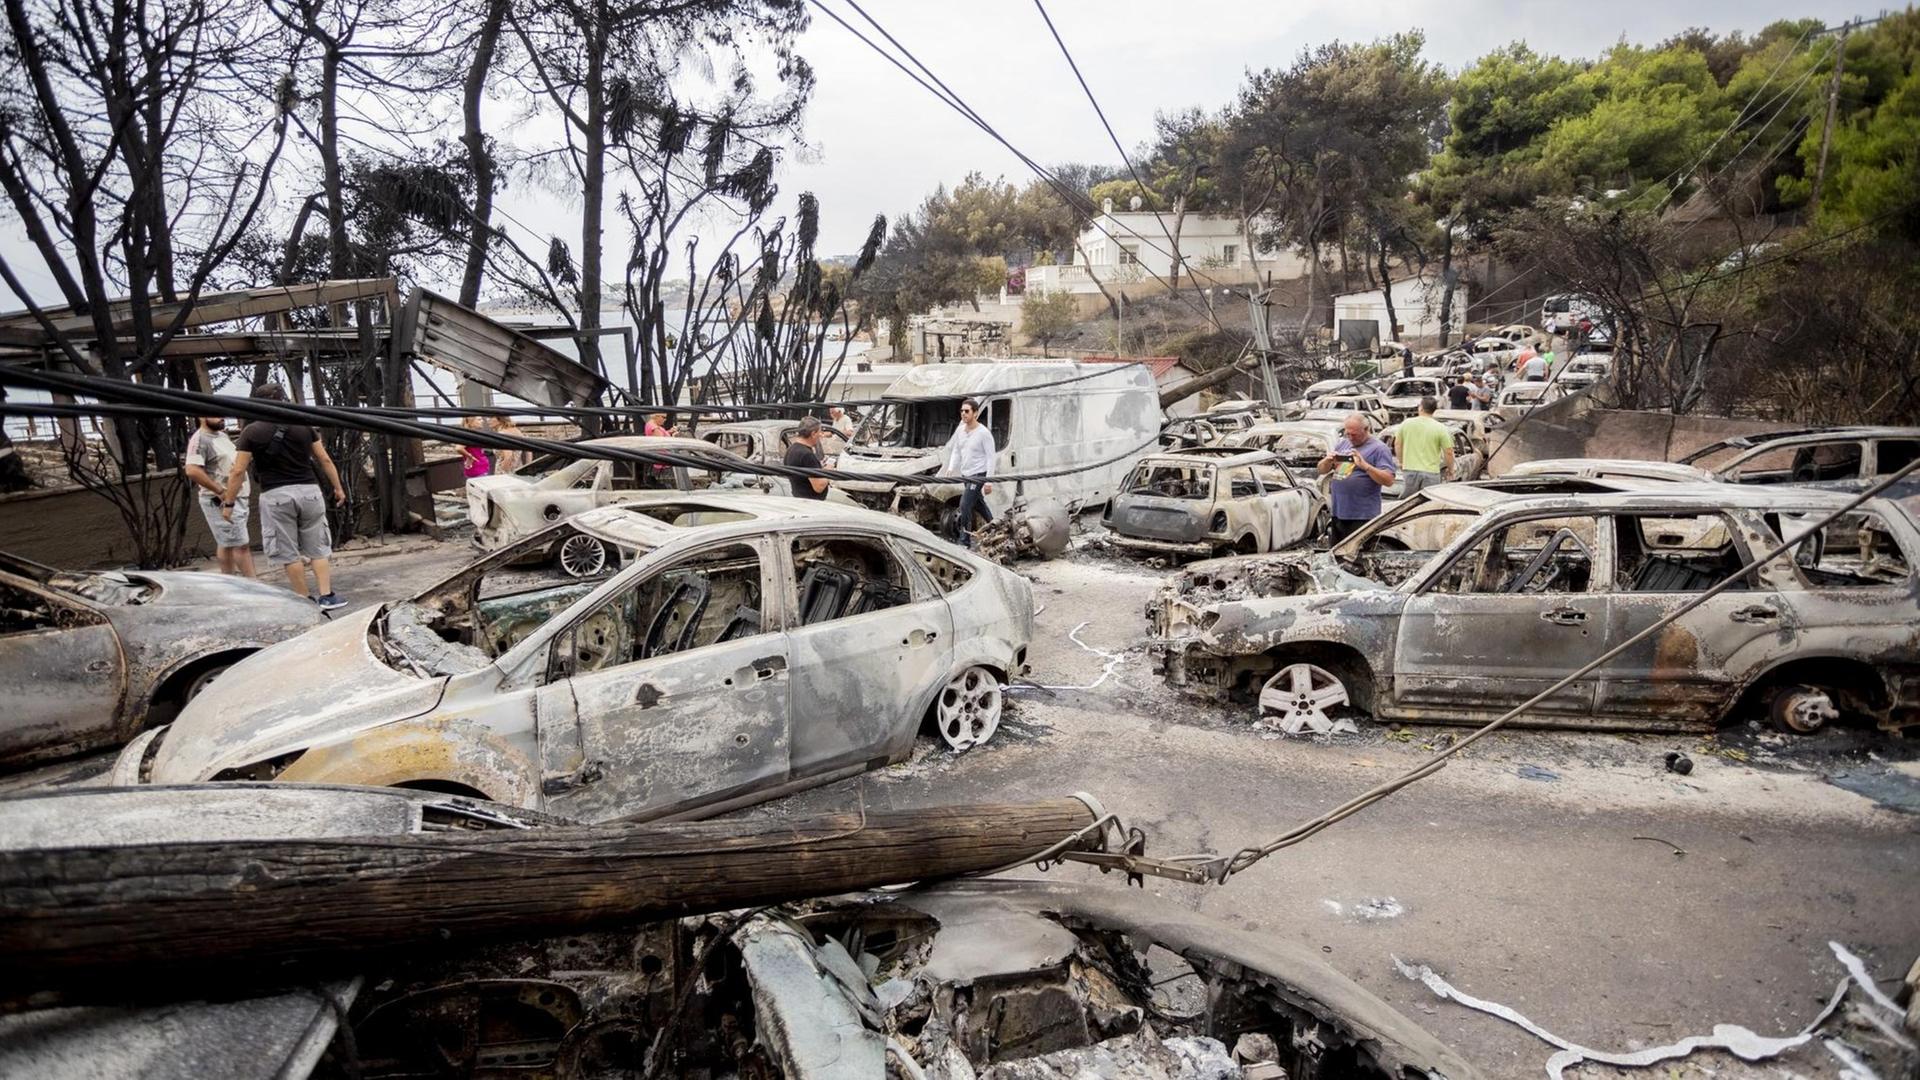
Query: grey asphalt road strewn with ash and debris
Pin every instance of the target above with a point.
(1556, 893)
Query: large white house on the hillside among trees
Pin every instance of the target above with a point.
(1136, 247)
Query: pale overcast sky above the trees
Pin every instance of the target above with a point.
(876, 143)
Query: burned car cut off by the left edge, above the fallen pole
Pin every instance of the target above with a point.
(89, 660)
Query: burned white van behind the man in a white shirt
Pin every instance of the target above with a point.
(1109, 414)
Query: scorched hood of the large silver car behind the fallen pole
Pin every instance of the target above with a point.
(320, 687)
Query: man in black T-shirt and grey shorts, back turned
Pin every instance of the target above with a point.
(293, 516)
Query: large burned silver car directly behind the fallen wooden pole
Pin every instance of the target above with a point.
(688, 654)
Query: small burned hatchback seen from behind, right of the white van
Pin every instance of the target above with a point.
(1214, 501)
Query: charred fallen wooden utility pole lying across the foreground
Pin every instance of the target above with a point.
(260, 910)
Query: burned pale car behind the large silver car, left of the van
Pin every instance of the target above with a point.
(552, 487)
